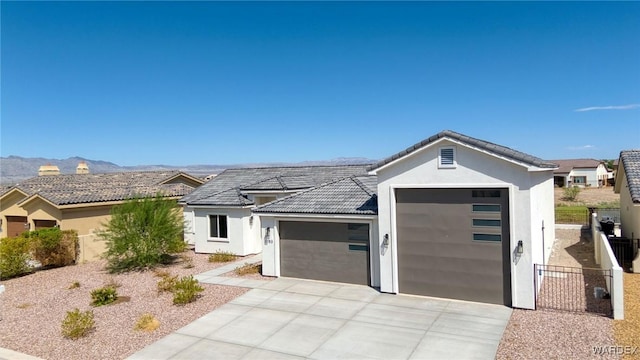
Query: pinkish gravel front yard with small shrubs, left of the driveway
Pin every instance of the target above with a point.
(32, 309)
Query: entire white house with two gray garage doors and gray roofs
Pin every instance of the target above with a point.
(451, 216)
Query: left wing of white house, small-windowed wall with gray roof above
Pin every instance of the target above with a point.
(219, 214)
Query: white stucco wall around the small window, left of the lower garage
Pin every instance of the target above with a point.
(241, 233)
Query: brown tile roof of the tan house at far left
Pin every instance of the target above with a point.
(90, 188)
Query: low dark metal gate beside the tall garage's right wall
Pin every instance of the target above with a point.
(573, 289)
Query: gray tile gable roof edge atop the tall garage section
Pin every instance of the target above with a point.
(484, 145)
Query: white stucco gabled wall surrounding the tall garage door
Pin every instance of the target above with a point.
(474, 169)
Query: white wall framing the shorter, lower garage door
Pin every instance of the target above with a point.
(271, 246)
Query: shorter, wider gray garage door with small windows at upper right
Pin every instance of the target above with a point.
(325, 251)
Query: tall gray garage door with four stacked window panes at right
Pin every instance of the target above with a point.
(453, 243)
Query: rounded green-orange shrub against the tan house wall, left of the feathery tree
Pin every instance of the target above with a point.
(53, 247)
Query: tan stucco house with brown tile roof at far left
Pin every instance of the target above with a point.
(82, 201)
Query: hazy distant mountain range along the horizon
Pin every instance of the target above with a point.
(16, 168)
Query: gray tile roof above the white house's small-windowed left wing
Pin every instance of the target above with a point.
(230, 186)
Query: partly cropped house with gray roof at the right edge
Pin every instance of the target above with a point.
(628, 186)
